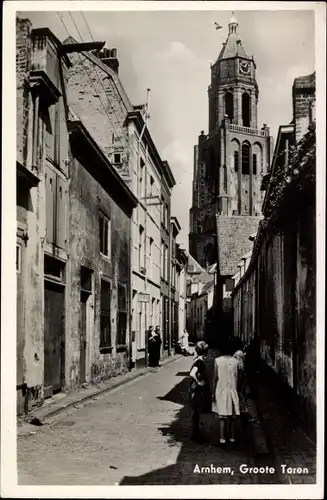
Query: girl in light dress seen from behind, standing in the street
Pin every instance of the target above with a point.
(224, 387)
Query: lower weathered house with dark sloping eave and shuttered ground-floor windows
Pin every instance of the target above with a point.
(100, 230)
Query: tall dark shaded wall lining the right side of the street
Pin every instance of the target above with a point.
(276, 298)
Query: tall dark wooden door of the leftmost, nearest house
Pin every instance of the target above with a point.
(53, 337)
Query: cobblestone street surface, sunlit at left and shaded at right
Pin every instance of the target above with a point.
(138, 433)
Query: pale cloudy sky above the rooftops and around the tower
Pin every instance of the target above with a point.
(170, 52)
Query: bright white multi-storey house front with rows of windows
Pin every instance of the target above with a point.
(149, 174)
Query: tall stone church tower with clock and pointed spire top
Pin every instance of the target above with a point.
(229, 161)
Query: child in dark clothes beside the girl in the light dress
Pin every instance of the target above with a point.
(199, 387)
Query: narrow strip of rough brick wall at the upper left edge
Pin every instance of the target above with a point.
(23, 60)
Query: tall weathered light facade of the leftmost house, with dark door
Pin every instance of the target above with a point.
(42, 201)
